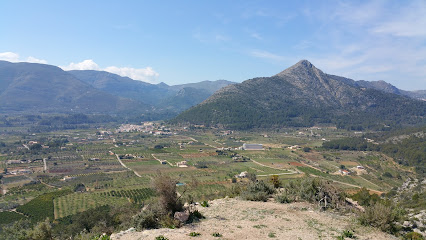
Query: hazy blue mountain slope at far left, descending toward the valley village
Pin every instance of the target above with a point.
(32, 87)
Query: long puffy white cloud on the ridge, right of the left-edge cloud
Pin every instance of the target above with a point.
(142, 74)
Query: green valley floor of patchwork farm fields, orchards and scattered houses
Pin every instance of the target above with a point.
(83, 169)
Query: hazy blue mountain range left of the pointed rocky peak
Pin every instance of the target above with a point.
(41, 88)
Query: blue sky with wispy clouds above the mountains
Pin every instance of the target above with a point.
(190, 41)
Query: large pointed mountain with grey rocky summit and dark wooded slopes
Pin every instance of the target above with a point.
(303, 95)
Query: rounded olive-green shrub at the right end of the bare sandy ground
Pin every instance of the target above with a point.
(380, 216)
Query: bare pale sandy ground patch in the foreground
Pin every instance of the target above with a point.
(238, 219)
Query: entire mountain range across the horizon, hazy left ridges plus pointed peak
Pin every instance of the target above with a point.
(299, 96)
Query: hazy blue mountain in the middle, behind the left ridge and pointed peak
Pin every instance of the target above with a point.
(164, 97)
